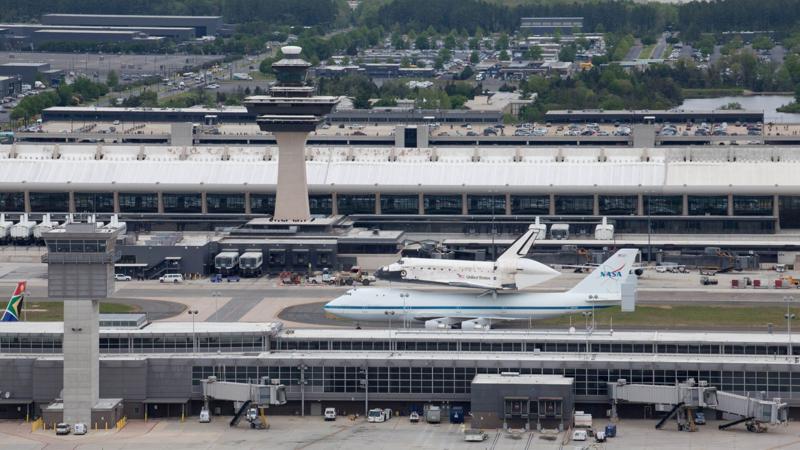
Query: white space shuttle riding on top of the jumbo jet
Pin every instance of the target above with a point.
(511, 270)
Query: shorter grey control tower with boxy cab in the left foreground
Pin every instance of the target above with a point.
(80, 271)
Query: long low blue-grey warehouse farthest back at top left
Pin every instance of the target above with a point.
(202, 25)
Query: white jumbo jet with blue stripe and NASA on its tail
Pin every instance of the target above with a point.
(600, 289)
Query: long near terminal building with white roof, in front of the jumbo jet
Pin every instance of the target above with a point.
(157, 370)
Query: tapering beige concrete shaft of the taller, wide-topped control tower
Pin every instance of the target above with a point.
(291, 198)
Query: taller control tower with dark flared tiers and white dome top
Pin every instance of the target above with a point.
(290, 112)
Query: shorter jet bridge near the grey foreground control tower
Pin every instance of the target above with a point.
(250, 399)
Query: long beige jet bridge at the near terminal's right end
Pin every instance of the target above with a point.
(687, 397)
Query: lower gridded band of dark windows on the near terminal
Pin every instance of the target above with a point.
(340, 378)
